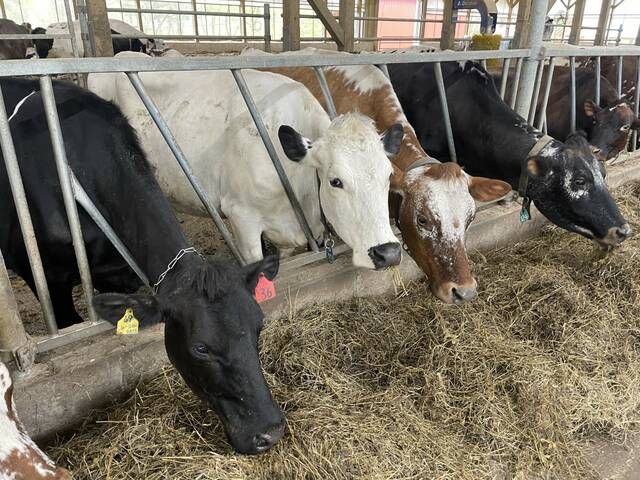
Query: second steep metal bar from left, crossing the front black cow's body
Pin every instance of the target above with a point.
(62, 165)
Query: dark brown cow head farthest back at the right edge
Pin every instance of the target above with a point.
(612, 126)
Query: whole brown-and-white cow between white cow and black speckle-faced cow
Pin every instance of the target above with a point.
(436, 203)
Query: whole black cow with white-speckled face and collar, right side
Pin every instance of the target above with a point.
(565, 181)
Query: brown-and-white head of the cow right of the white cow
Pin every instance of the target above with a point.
(437, 204)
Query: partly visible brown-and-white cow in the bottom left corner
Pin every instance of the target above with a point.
(20, 457)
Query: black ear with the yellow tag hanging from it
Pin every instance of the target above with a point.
(112, 307)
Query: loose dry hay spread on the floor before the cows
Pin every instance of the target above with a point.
(514, 384)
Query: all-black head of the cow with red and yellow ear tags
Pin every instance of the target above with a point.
(212, 324)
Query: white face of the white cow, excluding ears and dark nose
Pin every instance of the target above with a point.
(351, 151)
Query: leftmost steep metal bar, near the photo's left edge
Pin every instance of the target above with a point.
(24, 218)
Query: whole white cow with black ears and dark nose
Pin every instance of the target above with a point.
(208, 117)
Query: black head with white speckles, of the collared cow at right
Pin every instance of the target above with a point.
(566, 183)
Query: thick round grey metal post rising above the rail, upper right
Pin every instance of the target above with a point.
(534, 41)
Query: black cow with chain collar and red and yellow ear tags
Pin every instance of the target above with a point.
(212, 321)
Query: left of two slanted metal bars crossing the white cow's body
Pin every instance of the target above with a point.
(166, 133)
